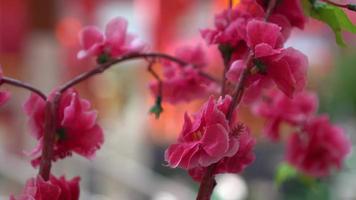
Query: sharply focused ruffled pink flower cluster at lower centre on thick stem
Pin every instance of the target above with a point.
(210, 138)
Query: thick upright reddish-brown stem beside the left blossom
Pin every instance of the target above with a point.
(49, 136)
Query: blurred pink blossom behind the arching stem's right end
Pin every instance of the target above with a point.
(184, 83)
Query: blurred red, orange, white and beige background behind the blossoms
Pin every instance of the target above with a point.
(38, 44)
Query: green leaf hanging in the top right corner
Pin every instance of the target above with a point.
(331, 15)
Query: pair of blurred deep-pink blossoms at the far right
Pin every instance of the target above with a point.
(316, 147)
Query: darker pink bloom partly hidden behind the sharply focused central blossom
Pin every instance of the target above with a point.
(234, 164)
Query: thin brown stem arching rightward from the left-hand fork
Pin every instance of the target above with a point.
(103, 67)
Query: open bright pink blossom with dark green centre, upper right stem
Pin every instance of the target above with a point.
(286, 68)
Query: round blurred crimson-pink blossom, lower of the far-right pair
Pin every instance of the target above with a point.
(318, 148)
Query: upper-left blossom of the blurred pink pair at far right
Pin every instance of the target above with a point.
(277, 108)
